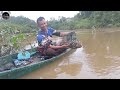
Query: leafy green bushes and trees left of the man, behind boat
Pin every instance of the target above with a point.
(13, 32)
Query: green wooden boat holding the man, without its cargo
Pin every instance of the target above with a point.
(20, 71)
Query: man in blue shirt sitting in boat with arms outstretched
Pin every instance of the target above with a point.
(44, 38)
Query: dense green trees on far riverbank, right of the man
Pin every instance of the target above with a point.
(88, 19)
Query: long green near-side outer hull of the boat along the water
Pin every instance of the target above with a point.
(18, 72)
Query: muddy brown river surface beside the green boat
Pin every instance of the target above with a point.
(99, 58)
